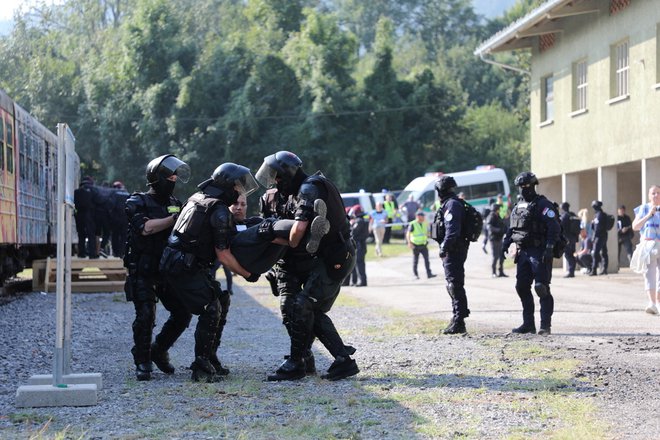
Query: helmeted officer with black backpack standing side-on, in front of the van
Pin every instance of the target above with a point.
(453, 251)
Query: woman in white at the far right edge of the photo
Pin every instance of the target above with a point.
(647, 254)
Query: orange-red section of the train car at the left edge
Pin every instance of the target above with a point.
(7, 172)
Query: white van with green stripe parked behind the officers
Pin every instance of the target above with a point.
(478, 186)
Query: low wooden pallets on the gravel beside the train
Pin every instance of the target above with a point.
(98, 275)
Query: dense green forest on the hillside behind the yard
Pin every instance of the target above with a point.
(373, 93)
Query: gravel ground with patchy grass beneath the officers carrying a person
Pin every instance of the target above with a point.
(414, 382)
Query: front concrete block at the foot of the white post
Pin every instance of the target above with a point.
(33, 396)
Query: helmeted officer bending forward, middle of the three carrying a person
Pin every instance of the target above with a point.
(201, 235)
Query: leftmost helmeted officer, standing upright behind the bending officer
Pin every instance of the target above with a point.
(151, 216)
